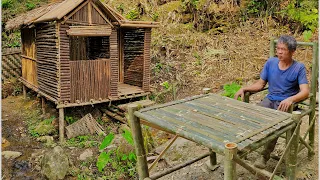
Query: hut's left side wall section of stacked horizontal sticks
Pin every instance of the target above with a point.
(47, 60)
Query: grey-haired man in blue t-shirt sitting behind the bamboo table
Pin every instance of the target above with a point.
(288, 84)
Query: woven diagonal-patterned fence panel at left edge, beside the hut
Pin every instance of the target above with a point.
(11, 63)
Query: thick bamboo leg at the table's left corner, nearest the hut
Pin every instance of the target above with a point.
(142, 165)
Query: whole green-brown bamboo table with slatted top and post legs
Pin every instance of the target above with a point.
(228, 127)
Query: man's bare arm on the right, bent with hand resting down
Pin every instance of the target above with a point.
(302, 95)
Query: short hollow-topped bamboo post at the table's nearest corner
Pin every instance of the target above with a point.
(230, 165)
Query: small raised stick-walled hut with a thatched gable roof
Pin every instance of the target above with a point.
(82, 52)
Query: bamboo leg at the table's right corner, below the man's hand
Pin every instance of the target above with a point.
(291, 165)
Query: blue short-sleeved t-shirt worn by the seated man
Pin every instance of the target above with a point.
(283, 83)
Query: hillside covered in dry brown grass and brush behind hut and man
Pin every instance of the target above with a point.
(202, 43)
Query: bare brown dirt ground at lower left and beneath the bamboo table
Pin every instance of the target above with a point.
(15, 110)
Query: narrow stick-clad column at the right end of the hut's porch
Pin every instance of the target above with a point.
(147, 60)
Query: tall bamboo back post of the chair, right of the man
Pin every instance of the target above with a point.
(314, 79)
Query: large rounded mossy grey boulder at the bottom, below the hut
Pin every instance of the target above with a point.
(55, 164)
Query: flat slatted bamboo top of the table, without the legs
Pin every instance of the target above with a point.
(213, 120)
